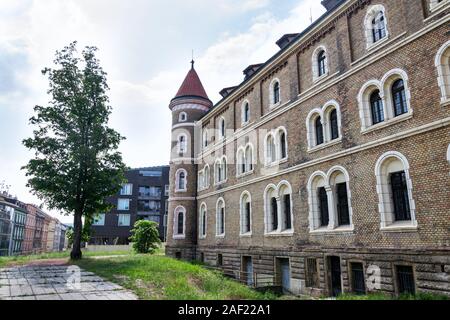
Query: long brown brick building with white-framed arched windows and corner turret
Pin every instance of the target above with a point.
(327, 169)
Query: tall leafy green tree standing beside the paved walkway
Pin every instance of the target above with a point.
(76, 165)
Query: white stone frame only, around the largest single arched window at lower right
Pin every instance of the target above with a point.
(387, 221)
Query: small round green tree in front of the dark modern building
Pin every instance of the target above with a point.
(145, 236)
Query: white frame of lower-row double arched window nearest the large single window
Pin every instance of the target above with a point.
(318, 180)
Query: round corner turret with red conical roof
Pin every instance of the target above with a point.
(190, 104)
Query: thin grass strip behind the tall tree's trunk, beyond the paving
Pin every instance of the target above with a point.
(21, 260)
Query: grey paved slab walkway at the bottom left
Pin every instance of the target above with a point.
(57, 282)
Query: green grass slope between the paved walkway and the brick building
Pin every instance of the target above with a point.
(156, 277)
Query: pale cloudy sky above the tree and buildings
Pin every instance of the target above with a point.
(145, 46)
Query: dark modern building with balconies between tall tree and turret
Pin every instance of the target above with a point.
(143, 197)
